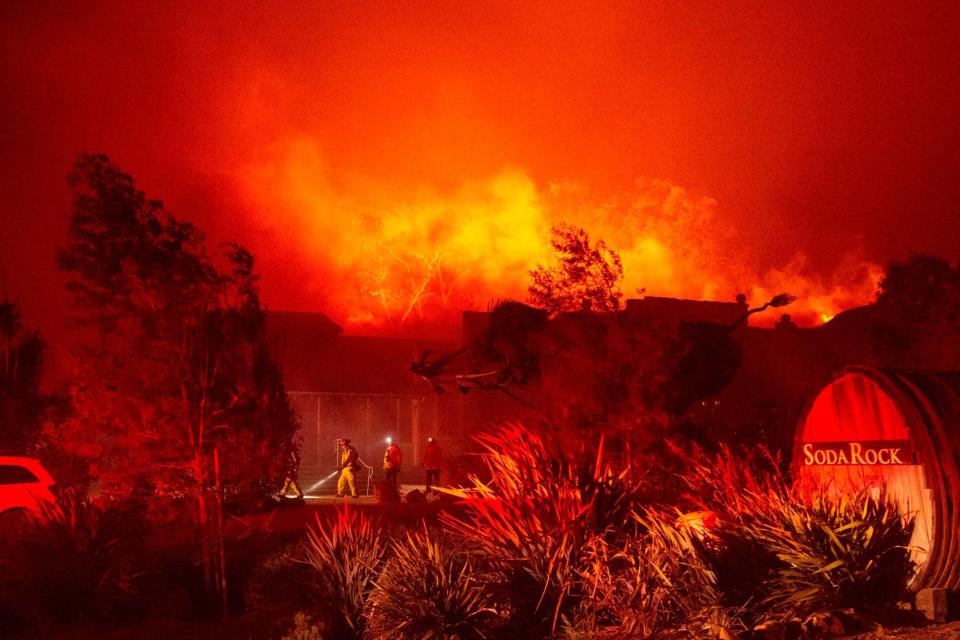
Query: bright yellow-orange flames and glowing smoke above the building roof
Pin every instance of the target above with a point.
(385, 258)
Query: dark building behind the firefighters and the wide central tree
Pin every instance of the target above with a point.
(361, 387)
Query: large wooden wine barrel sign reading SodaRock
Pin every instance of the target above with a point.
(899, 431)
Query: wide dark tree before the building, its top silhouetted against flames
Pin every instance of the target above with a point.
(585, 367)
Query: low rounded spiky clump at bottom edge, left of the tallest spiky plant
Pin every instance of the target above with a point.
(428, 590)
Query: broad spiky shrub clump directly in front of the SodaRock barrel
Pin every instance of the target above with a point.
(784, 550)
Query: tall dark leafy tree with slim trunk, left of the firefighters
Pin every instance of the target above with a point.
(174, 392)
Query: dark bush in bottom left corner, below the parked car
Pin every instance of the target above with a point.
(70, 565)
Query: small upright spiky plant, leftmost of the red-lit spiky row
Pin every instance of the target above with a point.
(348, 555)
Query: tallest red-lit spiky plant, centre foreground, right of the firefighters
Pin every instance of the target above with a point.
(532, 522)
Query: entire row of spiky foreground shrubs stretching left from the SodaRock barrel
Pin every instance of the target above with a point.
(555, 548)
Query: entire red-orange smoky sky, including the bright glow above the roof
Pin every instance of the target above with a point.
(721, 147)
